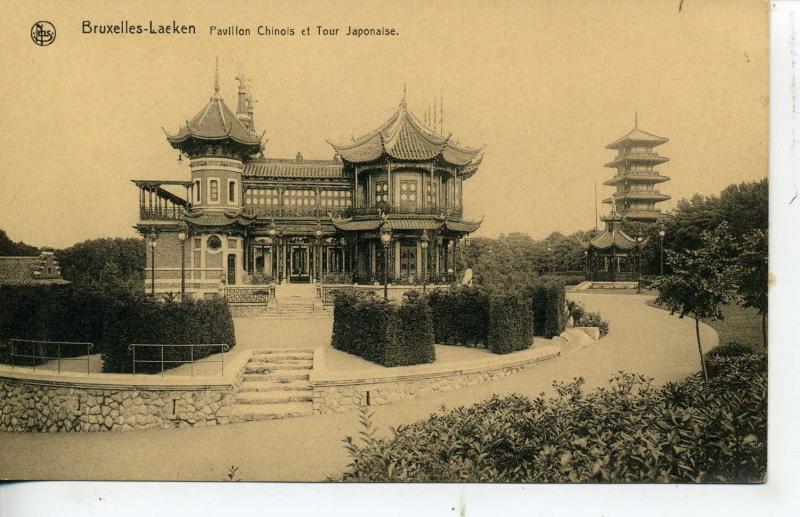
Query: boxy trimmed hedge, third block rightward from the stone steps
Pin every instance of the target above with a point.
(510, 322)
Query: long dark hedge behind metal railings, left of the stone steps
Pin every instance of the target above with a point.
(112, 318)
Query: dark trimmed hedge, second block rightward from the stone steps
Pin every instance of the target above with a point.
(459, 315)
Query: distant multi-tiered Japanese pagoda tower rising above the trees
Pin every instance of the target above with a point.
(636, 178)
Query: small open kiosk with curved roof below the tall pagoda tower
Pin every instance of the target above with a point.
(613, 255)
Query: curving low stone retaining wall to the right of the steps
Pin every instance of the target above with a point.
(334, 395)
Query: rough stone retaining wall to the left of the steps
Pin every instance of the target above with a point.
(50, 402)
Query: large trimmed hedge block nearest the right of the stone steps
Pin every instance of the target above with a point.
(383, 332)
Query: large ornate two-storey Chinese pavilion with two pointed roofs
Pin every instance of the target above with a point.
(388, 203)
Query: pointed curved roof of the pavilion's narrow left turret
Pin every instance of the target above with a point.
(215, 122)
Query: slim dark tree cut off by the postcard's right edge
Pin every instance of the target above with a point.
(755, 279)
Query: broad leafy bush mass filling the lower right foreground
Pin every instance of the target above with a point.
(629, 431)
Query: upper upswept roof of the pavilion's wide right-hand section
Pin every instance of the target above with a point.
(404, 137)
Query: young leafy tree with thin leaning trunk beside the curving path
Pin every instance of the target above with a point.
(703, 280)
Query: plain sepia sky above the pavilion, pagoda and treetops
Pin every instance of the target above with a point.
(543, 85)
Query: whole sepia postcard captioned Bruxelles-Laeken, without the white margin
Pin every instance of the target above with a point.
(409, 242)
